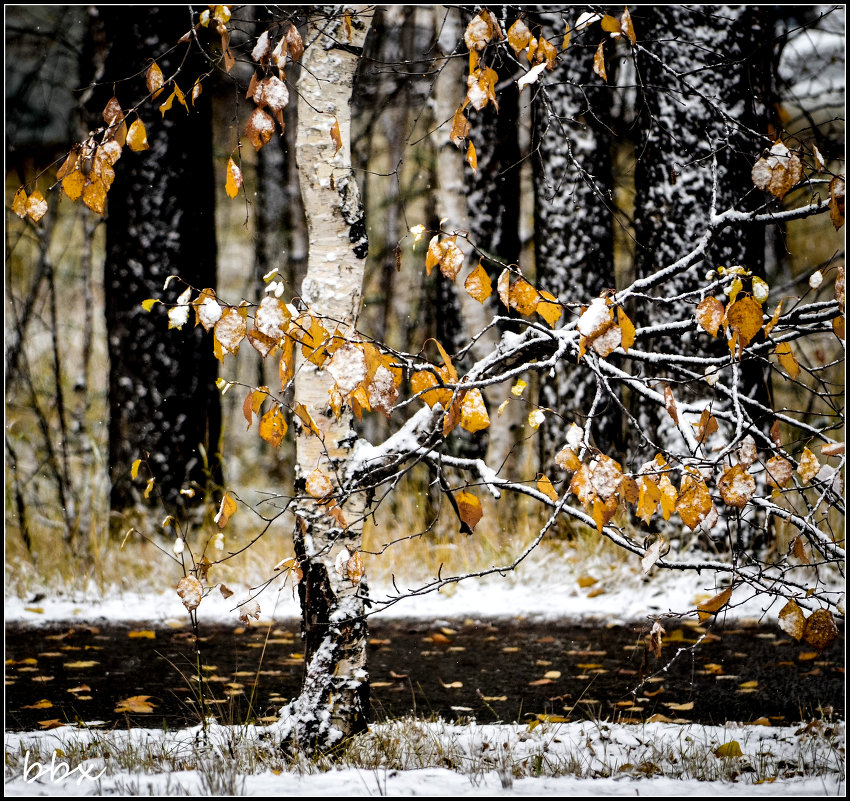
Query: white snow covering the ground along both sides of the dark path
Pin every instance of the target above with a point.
(600, 758)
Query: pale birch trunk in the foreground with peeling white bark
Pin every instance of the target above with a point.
(333, 702)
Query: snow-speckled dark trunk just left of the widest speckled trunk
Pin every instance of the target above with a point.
(574, 235)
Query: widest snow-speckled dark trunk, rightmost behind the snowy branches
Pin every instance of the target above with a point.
(697, 142)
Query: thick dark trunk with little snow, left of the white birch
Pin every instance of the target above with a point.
(160, 221)
